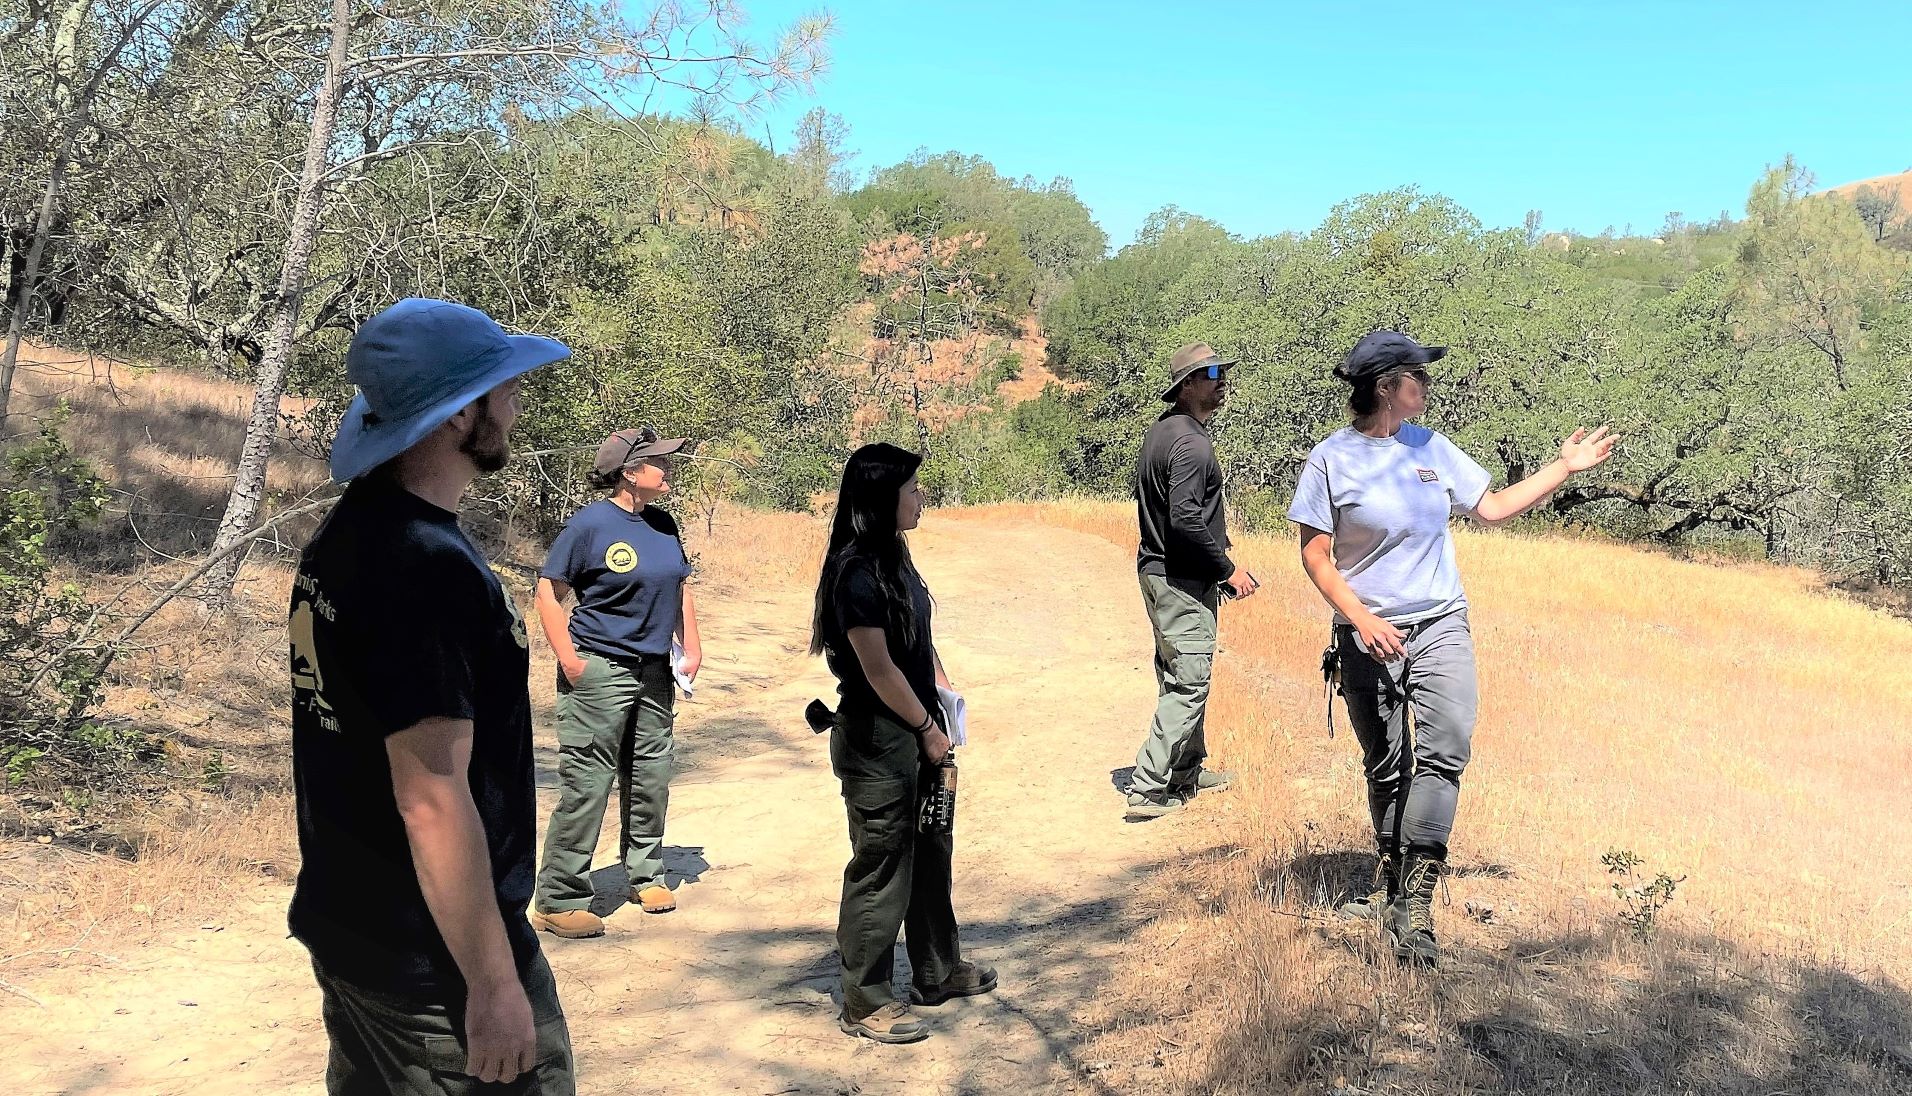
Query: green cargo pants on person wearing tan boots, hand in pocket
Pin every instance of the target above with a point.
(613, 724)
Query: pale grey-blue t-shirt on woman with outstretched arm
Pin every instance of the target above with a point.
(1387, 504)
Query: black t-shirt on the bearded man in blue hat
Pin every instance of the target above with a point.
(399, 619)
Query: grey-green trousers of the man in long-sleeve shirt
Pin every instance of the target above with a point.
(1184, 619)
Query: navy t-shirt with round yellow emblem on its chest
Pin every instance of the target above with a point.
(628, 571)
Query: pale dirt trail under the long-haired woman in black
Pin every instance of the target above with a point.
(733, 992)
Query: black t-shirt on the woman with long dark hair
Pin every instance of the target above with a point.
(858, 602)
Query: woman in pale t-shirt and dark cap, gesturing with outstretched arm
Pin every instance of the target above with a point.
(1374, 506)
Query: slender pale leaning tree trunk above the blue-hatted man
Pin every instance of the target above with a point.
(269, 384)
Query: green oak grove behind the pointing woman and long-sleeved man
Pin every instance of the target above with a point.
(1756, 370)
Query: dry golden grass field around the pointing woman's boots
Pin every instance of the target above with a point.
(1735, 726)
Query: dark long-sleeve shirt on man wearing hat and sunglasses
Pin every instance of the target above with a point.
(1179, 502)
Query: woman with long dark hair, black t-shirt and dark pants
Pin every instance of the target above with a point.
(873, 628)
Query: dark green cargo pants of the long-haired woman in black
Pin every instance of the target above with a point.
(898, 879)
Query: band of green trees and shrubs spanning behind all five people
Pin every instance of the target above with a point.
(783, 311)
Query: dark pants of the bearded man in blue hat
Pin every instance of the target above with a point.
(414, 1047)
